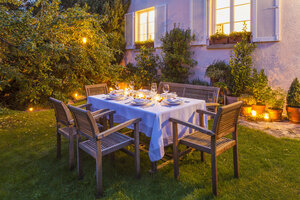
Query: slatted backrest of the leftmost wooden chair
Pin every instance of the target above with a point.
(62, 113)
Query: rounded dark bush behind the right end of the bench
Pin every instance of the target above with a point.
(219, 70)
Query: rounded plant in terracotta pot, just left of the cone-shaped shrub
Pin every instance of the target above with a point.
(275, 104)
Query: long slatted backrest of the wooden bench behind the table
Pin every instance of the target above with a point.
(208, 93)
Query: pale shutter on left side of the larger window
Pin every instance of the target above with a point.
(198, 21)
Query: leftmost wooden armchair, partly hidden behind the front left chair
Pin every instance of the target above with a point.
(65, 127)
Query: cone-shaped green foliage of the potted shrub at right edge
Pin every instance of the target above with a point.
(293, 96)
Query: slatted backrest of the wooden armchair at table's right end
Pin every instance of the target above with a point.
(226, 119)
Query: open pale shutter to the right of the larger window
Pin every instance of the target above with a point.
(265, 20)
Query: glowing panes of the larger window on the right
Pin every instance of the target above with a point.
(230, 15)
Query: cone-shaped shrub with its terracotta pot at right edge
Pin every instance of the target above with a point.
(293, 102)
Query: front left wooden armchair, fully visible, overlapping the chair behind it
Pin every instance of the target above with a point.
(99, 144)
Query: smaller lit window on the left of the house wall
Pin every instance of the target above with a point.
(145, 25)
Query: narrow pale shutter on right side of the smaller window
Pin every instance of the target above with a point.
(160, 24)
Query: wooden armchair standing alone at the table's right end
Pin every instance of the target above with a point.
(212, 141)
